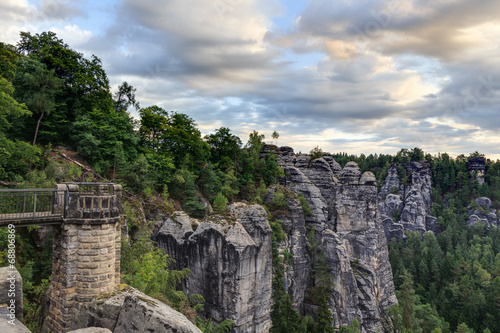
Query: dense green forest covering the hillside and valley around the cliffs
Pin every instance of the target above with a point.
(53, 99)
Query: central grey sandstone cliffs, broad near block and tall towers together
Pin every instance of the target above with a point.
(231, 258)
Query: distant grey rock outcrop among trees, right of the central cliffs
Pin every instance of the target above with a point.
(407, 206)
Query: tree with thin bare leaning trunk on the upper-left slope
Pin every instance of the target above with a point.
(37, 87)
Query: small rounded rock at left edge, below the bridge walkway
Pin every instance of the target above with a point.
(11, 283)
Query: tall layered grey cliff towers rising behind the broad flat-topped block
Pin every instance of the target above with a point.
(349, 230)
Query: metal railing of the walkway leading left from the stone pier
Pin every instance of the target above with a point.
(31, 204)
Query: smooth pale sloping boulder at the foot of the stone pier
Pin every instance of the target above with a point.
(129, 310)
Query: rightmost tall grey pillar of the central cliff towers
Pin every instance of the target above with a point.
(365, 288)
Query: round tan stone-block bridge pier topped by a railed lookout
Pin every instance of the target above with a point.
(86, 250)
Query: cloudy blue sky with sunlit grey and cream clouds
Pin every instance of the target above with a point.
(357, 76)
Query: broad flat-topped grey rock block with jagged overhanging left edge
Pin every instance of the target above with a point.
(230, 256)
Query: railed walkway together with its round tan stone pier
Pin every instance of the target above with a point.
(86, 219)
